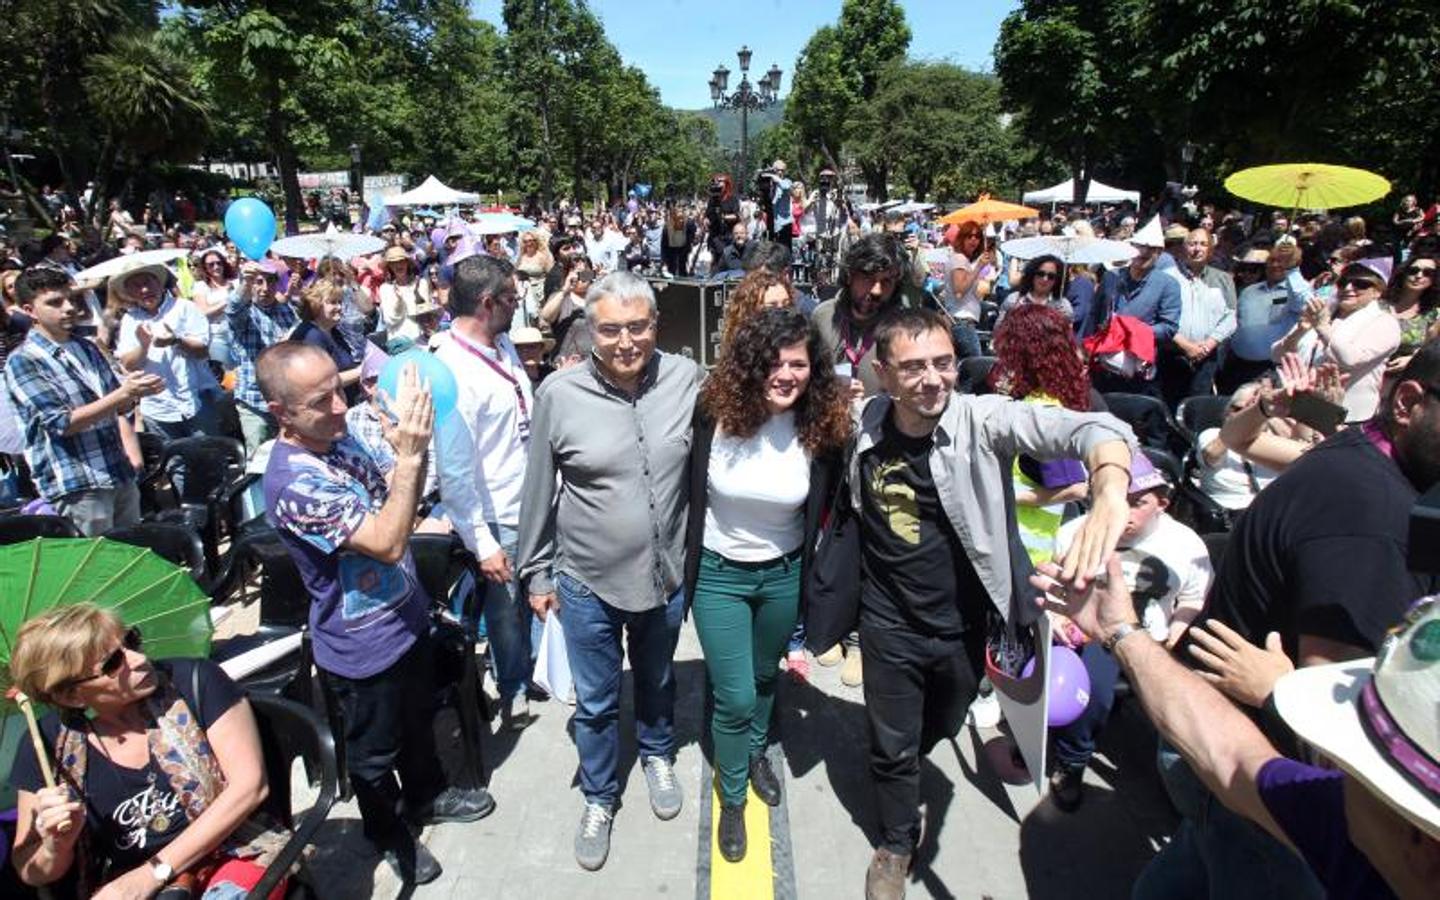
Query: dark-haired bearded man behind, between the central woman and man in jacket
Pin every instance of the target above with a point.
(873, 279)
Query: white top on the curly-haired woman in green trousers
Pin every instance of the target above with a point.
(757, 493)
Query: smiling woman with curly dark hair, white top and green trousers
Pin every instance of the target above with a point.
(770, 428)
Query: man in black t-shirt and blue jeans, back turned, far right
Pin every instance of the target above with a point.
(1320, 561)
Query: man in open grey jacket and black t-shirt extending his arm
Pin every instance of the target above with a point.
(941, 554)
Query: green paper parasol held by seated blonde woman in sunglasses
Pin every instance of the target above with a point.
(142, 588)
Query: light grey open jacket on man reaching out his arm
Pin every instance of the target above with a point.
(973, 464)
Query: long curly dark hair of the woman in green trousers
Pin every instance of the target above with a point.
(735, 392)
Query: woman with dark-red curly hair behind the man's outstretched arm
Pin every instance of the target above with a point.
(1038, 362)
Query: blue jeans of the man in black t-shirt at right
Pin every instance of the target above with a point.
(1218, 853)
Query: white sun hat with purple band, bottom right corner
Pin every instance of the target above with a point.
(1379, 719)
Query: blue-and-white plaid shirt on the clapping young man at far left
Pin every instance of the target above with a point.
(48, 382)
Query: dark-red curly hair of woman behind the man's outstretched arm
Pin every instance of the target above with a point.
(1036, 354)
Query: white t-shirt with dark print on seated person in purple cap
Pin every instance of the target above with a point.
(1166, 568)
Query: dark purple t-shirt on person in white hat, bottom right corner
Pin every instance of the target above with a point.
(1310, 806)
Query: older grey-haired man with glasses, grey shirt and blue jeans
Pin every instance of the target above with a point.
(604, 544)
